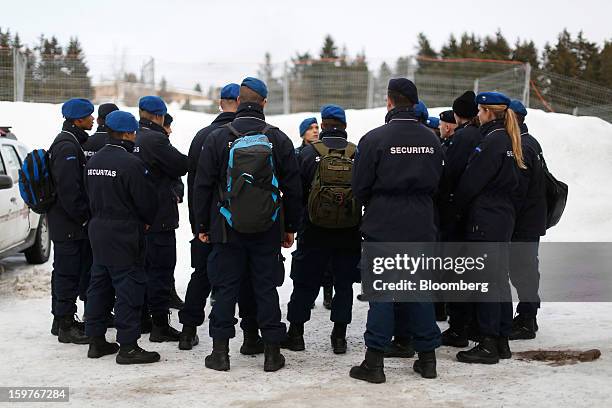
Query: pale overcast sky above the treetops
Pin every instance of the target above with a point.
(196, 40)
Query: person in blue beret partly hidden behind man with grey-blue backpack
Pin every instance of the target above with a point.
(198, 289)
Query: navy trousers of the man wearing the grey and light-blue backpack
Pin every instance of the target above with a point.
(230, 267)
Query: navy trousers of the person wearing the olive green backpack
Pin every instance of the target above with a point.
(308, 268)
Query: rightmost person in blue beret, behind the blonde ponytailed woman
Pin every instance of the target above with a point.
(530, 225)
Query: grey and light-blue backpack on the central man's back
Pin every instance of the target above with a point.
(251, 201)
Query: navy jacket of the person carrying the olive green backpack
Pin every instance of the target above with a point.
(311, 235)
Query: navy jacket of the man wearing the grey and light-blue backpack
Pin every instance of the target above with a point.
(212, 170)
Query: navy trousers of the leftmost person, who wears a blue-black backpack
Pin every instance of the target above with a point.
(70, 276)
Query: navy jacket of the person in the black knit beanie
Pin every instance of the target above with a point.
(460, 147)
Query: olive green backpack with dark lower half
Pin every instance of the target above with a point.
(331, 203)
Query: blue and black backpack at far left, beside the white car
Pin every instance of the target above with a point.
(35, 183)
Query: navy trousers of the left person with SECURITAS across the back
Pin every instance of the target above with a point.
(128, 284)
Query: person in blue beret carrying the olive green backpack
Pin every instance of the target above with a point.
(323, 249)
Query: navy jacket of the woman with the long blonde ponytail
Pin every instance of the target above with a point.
(484, 194)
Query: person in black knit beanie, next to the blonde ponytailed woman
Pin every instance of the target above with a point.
(466, 138)
